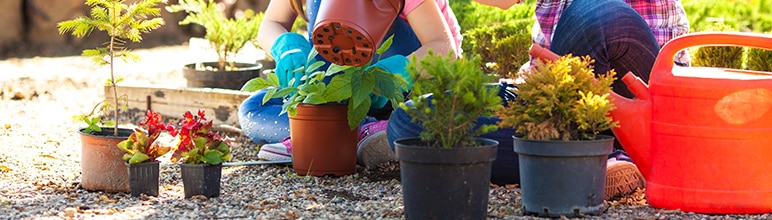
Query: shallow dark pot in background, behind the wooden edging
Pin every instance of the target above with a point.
(198, 78)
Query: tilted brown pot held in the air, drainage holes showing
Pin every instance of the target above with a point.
(350, 34)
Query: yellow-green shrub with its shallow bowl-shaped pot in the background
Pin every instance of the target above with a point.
(227, 37)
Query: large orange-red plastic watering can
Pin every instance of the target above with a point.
(701, 136)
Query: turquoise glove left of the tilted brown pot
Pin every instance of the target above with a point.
(290, 51)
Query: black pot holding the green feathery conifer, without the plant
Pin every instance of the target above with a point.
(445, 183)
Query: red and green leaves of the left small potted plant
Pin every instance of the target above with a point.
(141, 145)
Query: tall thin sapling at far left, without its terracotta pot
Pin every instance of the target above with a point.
(122, 23)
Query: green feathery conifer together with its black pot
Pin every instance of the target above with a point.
(446, 171)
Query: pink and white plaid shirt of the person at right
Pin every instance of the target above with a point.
(666, 18)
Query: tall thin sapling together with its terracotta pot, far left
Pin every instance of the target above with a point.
(101, 164)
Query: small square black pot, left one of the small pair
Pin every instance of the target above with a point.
(143, 178)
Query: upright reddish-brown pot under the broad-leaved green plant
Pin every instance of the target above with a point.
(322, 143)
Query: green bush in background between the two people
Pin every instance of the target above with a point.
(506, 45)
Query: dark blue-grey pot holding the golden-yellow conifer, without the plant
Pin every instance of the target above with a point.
(563, 178)
